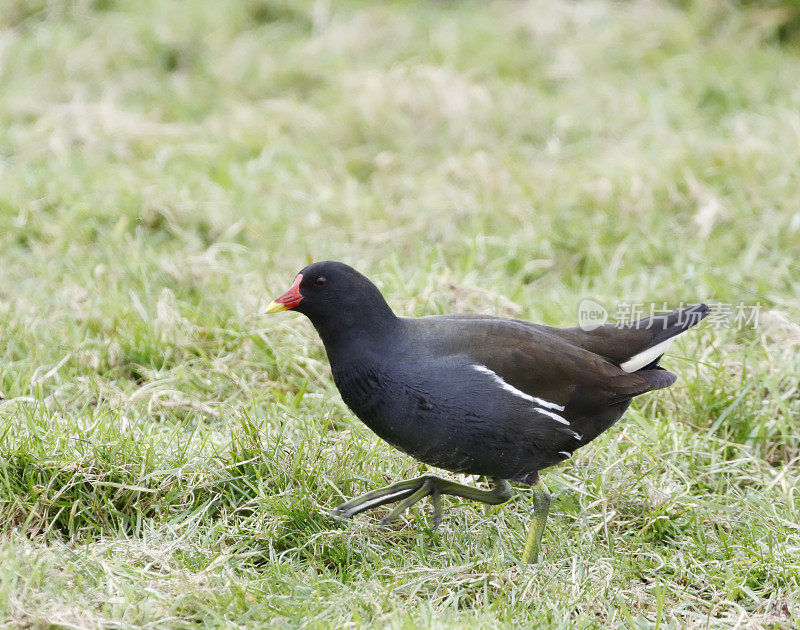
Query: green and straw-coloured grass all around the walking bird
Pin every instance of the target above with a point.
(168, 455)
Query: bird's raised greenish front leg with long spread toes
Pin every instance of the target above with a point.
(414, 490)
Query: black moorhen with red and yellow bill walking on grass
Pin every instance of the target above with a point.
(476, 394)
